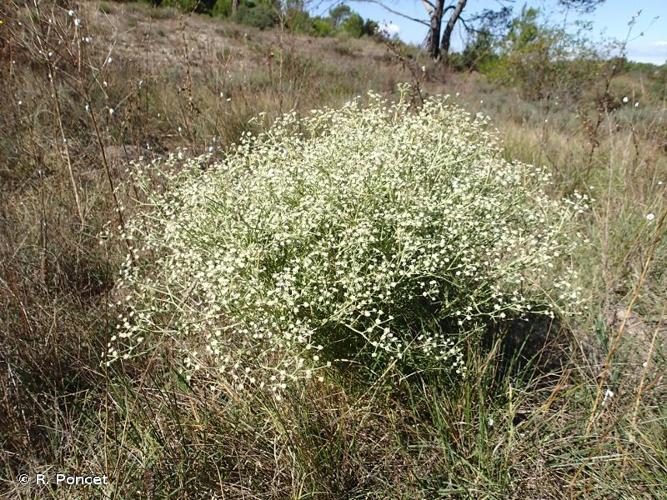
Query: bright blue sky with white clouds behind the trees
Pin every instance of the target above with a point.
(647, 42)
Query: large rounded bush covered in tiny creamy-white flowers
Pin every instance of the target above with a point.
(377, 234)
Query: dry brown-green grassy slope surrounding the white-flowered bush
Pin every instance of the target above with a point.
(507, 432)
